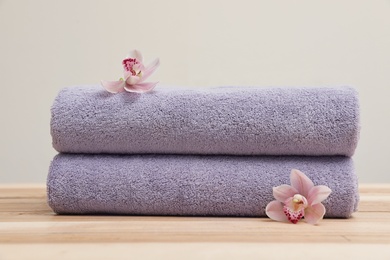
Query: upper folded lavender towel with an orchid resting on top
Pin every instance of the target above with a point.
(219, 120)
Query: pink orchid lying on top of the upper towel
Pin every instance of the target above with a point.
(133, 75)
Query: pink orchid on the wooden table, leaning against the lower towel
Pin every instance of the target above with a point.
(301, 199)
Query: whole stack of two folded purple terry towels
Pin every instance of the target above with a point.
(202, 151)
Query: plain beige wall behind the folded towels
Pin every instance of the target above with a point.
(46, 45)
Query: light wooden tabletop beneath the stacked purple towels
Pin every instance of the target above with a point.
(30, 230)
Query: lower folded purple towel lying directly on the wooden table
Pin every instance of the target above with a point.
(190, 185)
